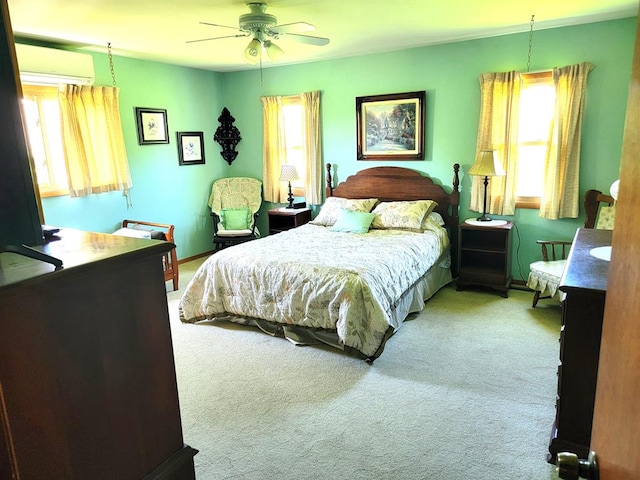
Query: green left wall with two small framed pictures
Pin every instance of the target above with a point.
(163, 191)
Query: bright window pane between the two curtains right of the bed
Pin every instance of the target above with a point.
(536, 111)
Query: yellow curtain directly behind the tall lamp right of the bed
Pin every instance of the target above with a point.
(498, 130)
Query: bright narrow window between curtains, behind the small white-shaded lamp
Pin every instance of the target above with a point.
(293, 113)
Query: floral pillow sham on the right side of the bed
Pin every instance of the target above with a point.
(407, 215)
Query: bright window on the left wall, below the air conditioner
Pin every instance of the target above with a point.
(42, 122)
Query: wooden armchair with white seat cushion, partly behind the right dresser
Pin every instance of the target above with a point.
(544, 276)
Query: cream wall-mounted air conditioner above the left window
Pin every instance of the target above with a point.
(50, 66)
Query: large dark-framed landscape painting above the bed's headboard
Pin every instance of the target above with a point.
(391, 127)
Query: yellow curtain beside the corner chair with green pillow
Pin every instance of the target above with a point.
(273, 150)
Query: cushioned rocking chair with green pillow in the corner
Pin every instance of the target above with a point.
(234, 204)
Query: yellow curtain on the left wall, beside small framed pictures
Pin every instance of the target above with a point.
(93, 141)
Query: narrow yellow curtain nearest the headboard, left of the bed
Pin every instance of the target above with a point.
(312, 147)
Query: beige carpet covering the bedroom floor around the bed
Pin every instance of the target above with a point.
(464, 390)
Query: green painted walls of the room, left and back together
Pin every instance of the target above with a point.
(165, 192)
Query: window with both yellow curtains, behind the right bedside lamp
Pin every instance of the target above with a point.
(498, 129)
